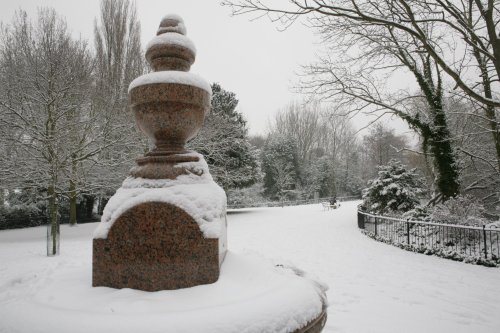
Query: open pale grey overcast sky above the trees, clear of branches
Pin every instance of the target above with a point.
(250, 58)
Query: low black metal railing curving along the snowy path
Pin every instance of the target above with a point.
(467, 241)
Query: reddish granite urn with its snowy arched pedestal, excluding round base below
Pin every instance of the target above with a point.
(165, 228)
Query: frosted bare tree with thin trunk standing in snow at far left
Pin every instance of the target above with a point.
(44, 101)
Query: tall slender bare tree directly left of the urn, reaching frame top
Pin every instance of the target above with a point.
(119, 60)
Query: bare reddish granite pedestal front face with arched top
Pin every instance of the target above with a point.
(155, 246)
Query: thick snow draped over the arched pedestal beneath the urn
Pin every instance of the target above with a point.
(199, 196)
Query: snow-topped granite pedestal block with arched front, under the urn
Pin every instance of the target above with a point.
(162, 234)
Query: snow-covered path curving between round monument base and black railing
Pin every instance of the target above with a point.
(374, 287)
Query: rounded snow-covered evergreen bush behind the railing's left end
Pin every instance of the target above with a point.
(396, 189)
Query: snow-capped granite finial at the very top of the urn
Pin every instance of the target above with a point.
(171, 49)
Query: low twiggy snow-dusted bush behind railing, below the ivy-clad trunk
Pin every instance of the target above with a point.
(463, 210)
